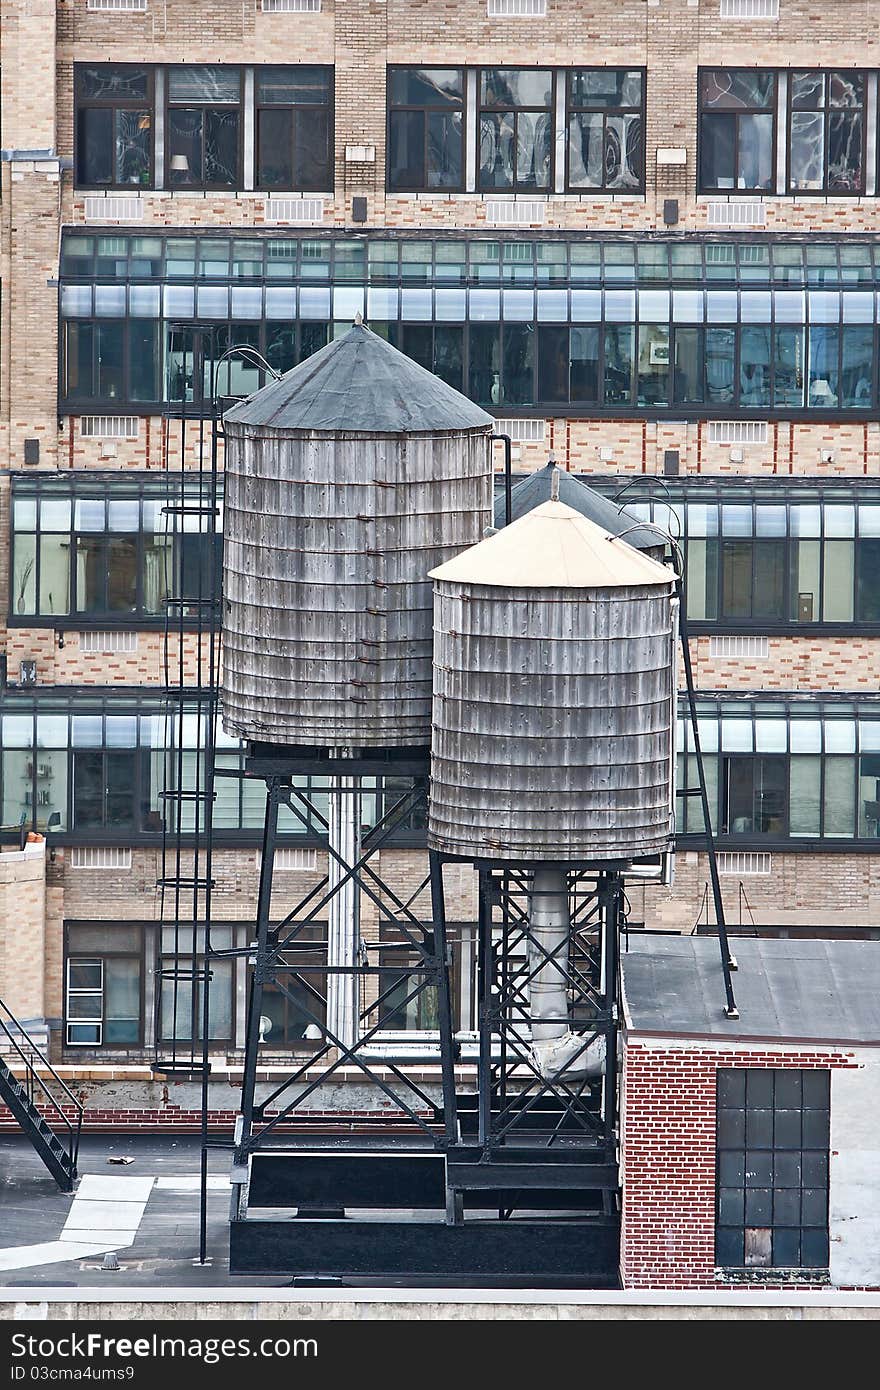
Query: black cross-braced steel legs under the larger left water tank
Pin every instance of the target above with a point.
(276, 963)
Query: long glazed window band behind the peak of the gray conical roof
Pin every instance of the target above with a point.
(612, 326)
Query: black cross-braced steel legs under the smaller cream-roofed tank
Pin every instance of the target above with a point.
(519, 1110)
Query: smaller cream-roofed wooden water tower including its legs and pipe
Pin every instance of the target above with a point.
(553, 768)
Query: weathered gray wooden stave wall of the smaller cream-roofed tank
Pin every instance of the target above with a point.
(554, 723)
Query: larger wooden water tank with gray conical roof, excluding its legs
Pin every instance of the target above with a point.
(345, 483)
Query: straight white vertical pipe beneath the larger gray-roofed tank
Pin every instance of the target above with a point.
(344, 910)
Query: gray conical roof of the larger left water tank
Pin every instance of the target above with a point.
(359, 384)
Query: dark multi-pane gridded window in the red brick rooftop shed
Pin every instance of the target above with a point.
(772, 1185)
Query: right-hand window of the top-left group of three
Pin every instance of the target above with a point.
(294, 129)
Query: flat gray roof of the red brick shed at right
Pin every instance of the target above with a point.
(818, 990)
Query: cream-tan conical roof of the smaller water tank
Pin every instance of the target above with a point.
(554, 548)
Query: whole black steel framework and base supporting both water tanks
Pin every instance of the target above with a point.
(503, 1178)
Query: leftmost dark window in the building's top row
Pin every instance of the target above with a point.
(115, 126)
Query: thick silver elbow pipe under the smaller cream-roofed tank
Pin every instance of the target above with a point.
(555, 1047)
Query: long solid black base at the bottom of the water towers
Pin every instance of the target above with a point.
(554, 1253)
